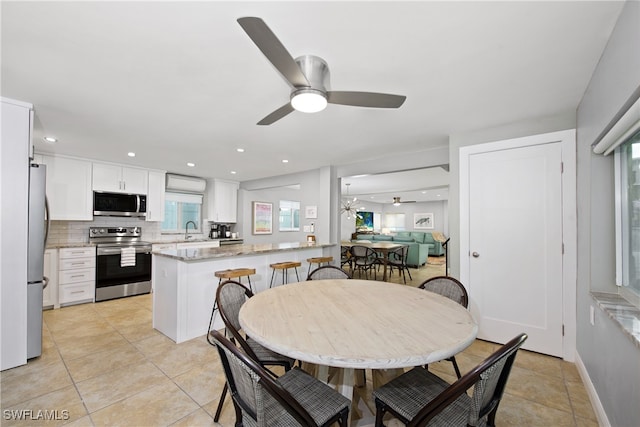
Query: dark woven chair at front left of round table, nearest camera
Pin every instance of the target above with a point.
(259, 399)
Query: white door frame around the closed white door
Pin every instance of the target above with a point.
(567, 140)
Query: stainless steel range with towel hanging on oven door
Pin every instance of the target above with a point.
(123, 262)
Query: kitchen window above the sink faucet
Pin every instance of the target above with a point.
(180, 208)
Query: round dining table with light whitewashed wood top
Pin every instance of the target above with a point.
(357, 324)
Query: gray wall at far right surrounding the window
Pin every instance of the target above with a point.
(611, 360)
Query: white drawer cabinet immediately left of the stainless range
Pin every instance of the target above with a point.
(76, 275)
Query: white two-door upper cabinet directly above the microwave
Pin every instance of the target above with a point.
(118, 179)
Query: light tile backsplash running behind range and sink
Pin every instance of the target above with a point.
(65, 232)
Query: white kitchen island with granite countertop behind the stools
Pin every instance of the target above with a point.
(184, 284)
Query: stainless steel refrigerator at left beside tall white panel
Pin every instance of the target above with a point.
(36, 282)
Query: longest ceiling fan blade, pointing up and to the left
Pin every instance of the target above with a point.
(274, 50)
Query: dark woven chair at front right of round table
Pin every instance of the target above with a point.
(420, 398)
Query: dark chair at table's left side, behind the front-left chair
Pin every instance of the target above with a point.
(229, 297)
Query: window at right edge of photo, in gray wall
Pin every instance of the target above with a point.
(628, 214)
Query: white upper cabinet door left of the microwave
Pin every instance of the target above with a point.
(69, 188)
